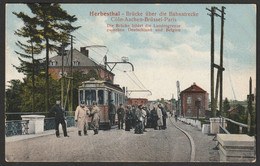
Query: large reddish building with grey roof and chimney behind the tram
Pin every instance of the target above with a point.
(80, 62)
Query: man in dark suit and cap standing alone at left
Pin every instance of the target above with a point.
(58, 112)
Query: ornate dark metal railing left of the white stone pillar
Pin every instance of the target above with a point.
(16, 127)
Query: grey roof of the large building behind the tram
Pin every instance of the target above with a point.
(84, 60)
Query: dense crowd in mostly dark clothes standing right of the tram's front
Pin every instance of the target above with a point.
(138, 117)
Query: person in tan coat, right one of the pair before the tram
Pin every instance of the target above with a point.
(95, 113)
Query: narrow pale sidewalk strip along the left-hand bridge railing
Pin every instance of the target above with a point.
(30, 136)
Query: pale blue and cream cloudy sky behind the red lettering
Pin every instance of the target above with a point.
(160, 59)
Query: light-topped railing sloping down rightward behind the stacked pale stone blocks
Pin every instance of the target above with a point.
(233, 126)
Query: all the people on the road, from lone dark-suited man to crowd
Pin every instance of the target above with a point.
(137, 117)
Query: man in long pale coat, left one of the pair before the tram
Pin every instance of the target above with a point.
(81, 117)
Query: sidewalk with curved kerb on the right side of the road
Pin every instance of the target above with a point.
(204, 144)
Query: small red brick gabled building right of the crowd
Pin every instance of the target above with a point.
(194, 101)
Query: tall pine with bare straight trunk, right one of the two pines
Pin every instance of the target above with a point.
(54, 25)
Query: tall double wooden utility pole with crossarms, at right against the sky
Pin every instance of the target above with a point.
(219, 81)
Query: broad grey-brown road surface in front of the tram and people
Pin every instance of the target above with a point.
(169, 145)
